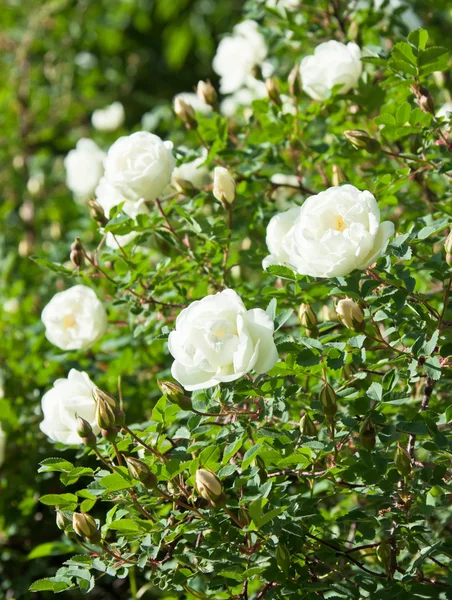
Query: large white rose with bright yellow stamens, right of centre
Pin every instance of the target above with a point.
(332, 234)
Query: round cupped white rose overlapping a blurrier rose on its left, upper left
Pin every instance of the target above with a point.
(140, 165)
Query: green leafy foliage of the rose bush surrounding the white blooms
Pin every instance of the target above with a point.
(360, 510)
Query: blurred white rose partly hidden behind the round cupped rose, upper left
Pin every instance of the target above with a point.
(84, 167)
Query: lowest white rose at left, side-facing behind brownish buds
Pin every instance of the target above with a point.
(68, 399)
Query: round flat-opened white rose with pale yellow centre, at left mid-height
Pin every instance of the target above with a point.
(74, 319)
